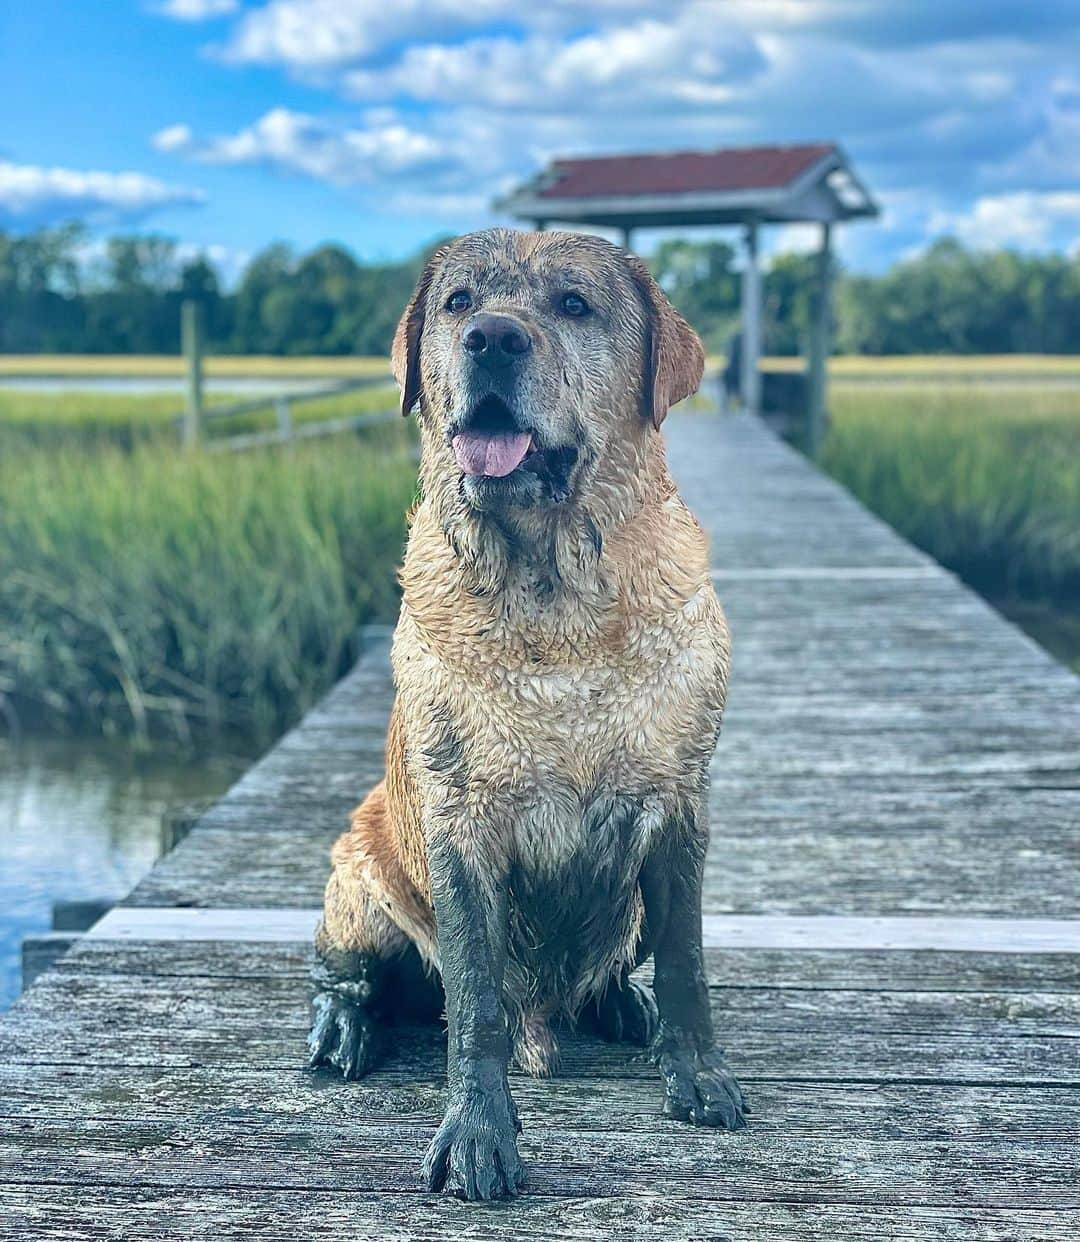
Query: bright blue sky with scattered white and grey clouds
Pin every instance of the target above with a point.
(383, 124)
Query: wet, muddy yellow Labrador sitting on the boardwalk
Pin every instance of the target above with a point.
(560, 665)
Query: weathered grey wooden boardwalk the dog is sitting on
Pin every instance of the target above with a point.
(891, 899)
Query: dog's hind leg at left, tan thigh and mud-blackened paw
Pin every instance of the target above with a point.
(369, 971)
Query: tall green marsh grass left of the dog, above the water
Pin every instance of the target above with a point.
(151, 592)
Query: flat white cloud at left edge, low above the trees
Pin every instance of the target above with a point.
(33, 197)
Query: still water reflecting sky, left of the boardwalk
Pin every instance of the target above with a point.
(84, 820)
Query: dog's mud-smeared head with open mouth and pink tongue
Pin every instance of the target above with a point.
(533, 357)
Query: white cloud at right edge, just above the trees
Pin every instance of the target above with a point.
(1025, 219)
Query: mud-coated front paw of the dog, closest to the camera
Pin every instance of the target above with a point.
(475, 1152)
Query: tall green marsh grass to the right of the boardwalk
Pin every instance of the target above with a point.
(988, 481)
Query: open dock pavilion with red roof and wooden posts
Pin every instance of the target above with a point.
(745, 187)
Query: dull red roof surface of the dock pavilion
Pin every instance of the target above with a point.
(738, 168)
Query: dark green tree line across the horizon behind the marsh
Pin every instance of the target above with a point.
(949, 300)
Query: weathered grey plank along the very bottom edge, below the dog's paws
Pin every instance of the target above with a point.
(45, 1213)
